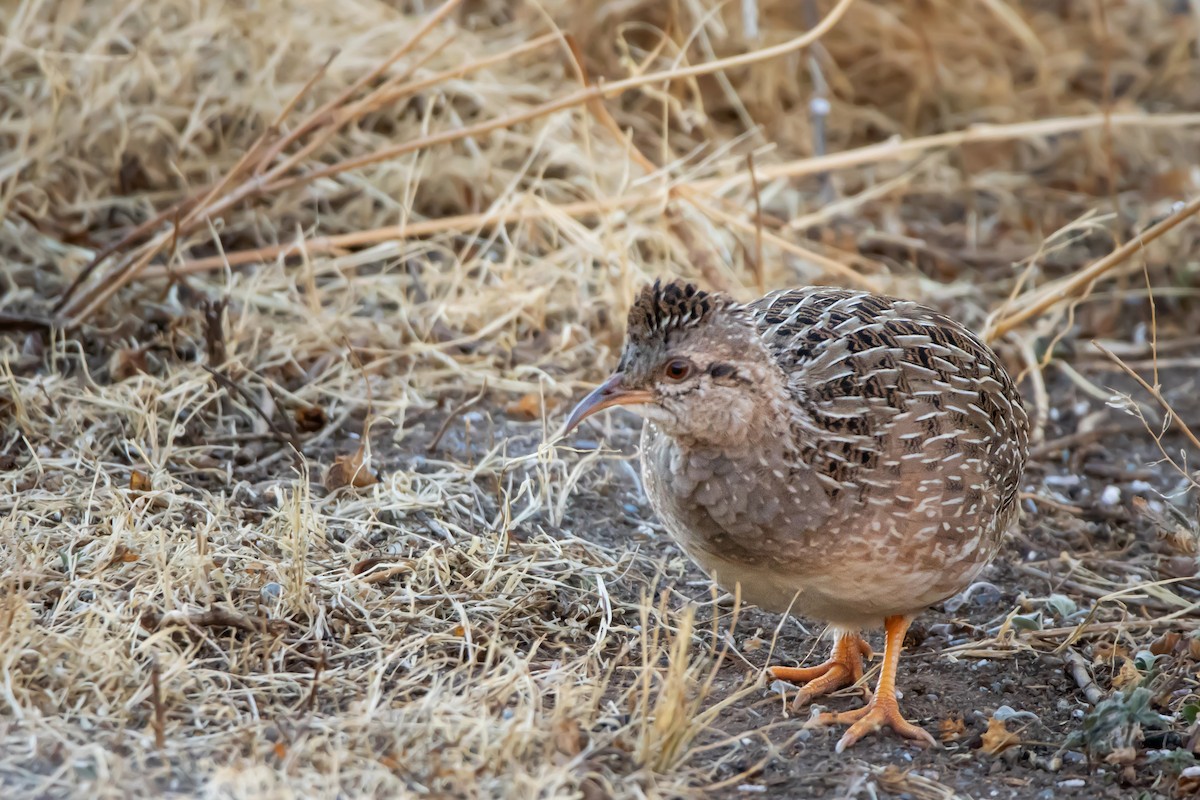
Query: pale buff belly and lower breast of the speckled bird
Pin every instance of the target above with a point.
(788, 551)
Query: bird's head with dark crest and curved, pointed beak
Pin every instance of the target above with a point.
(693, 364)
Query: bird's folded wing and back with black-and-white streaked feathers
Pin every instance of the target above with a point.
(891, 396)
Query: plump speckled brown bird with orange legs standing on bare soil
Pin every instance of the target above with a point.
(835, 454)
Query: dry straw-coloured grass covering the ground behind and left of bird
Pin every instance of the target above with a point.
(405, 209)
